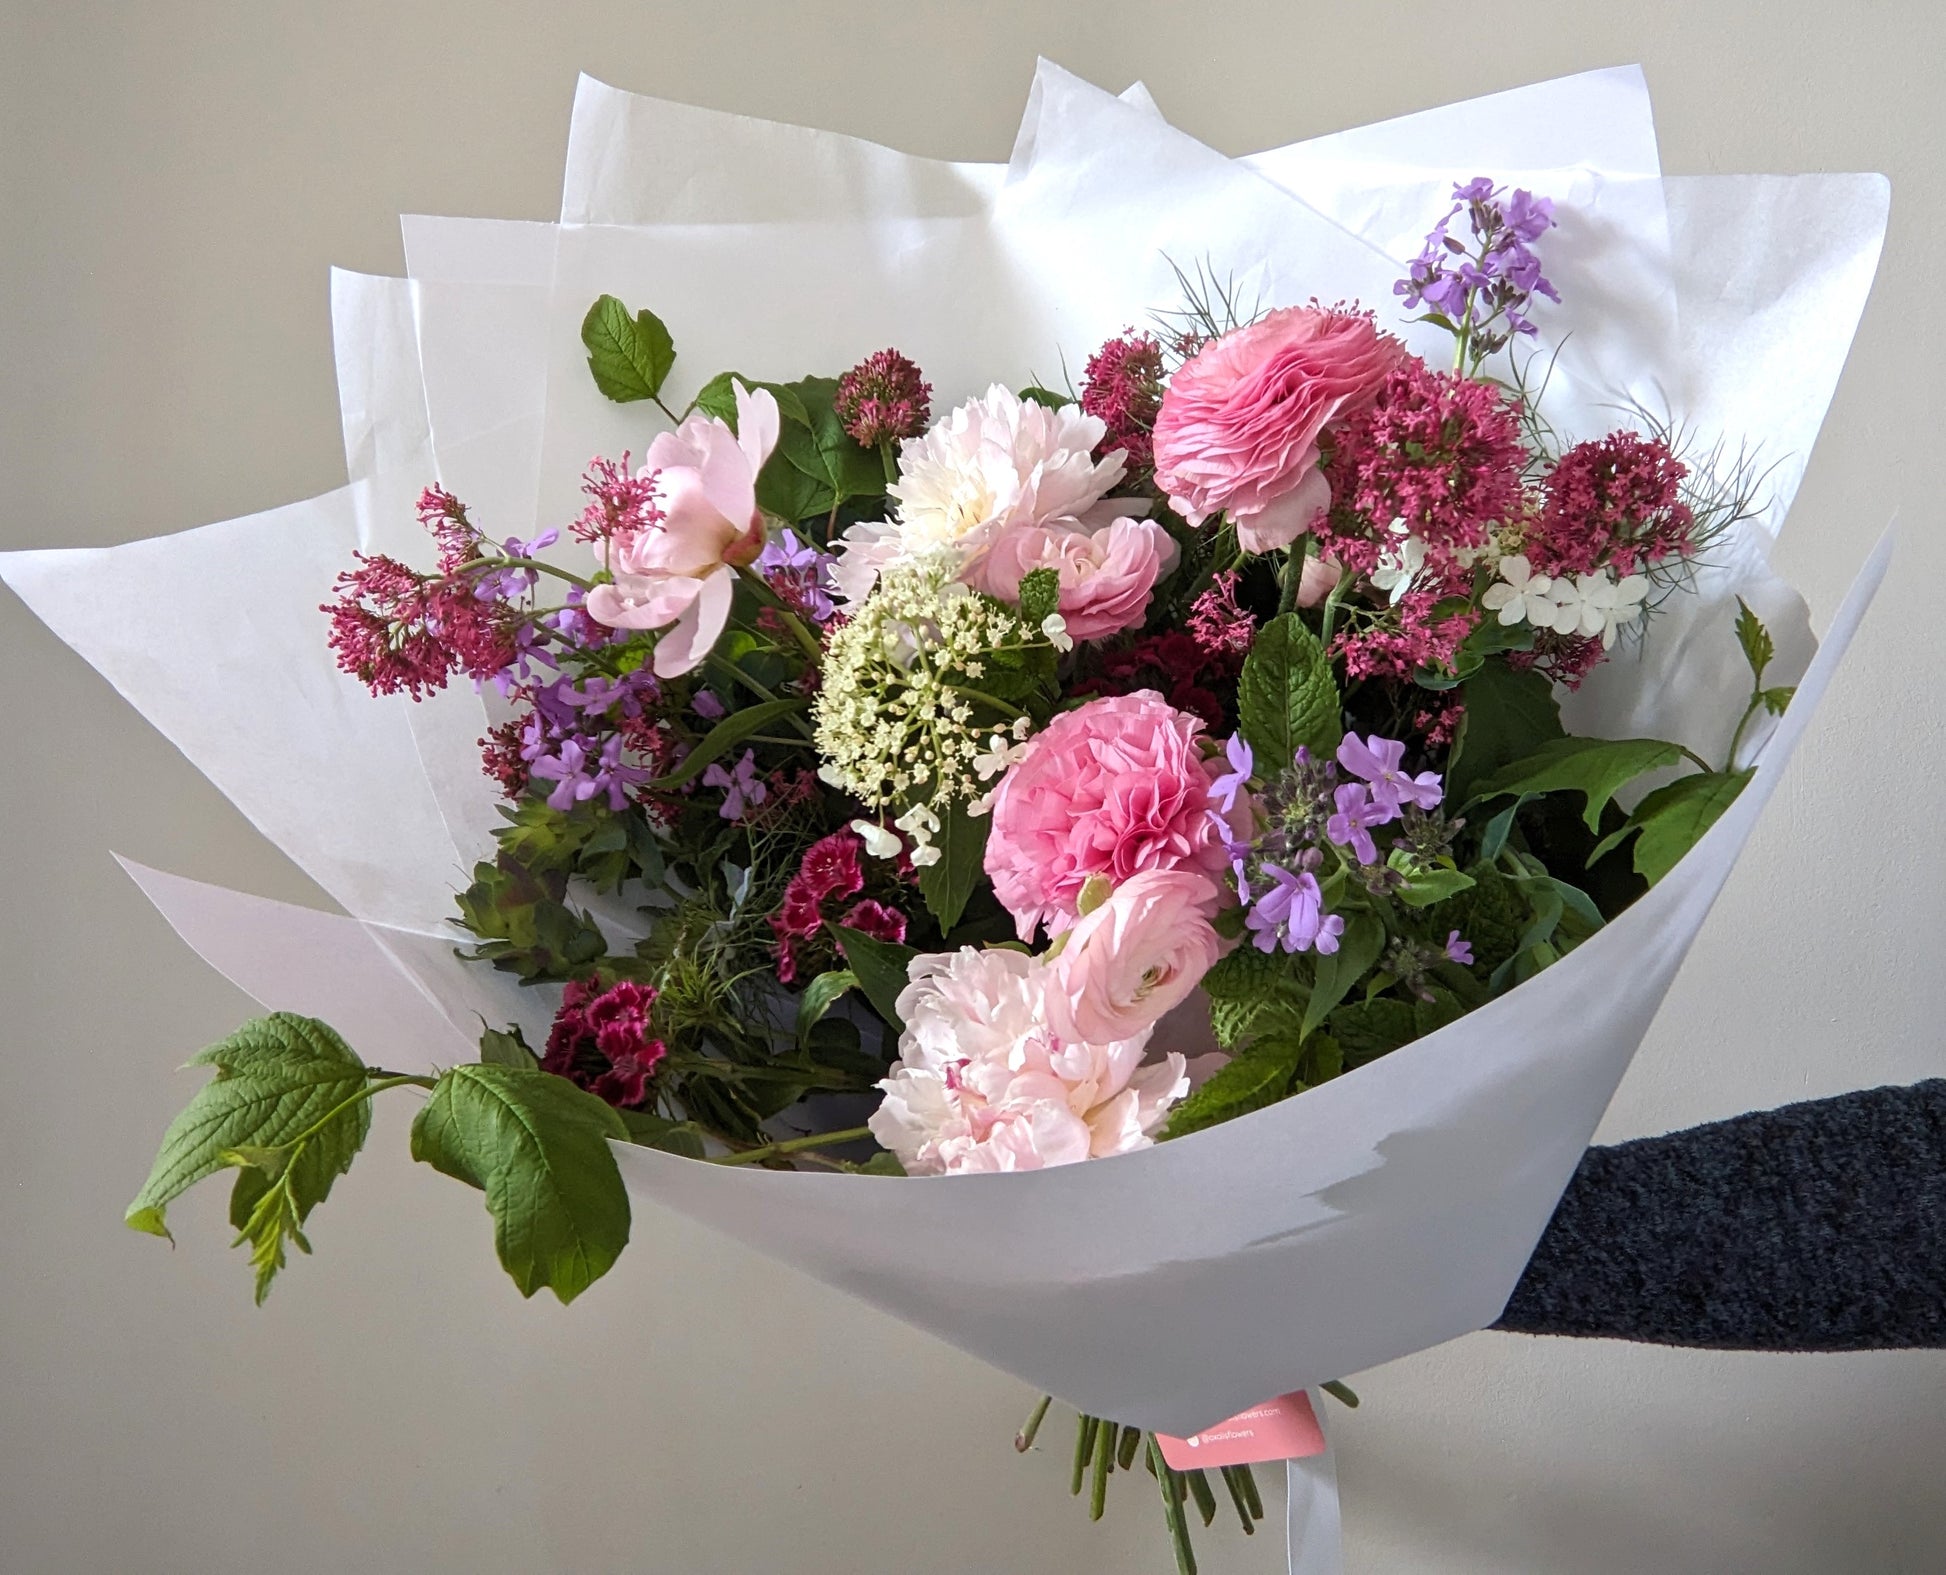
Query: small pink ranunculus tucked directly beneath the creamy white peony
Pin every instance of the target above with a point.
(1106, 575)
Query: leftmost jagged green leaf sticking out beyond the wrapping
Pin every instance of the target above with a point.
(275, 1080)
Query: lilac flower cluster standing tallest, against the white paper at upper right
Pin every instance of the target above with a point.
(1492, 283)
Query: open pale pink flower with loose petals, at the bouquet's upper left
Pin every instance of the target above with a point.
(678, 575)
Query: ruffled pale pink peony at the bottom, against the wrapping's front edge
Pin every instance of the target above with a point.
(984, 1083)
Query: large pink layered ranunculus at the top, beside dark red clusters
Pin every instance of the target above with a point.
(1239, 425)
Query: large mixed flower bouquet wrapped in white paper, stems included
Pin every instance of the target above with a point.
(1285, 754)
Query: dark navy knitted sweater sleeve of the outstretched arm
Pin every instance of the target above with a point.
(1817, 1227)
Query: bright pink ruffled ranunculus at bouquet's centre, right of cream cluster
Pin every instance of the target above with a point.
(1114, 787)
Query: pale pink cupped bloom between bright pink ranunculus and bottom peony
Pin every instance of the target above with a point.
(1135, 957)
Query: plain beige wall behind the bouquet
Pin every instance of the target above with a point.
(178, 178)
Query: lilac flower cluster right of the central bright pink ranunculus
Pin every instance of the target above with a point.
(1309, 811)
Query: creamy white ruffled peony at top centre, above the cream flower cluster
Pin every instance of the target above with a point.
(991, 464)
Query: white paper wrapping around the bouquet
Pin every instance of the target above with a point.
(1371, 1218)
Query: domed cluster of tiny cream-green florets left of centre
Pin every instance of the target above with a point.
(892, 715)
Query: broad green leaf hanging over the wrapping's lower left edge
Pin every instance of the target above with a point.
(538, 1148)
